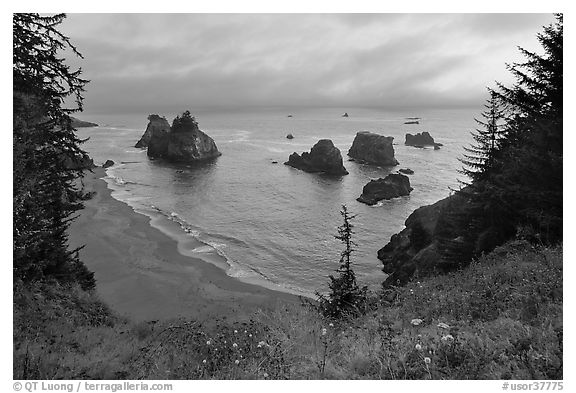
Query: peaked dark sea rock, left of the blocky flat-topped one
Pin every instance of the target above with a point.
(323, 157)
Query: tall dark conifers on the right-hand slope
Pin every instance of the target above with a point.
(515, 163)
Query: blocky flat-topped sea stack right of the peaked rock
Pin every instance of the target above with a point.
(373, 149)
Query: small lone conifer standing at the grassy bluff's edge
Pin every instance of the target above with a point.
(345, 297)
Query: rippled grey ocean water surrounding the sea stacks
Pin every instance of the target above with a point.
(268, 223)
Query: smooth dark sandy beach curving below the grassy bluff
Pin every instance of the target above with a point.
(141, 274)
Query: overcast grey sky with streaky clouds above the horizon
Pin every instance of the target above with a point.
(155, 62)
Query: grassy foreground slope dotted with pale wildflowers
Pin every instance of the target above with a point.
(499, 318)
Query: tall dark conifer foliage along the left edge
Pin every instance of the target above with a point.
(44, 195)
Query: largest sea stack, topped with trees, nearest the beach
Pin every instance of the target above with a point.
(183, 142)
